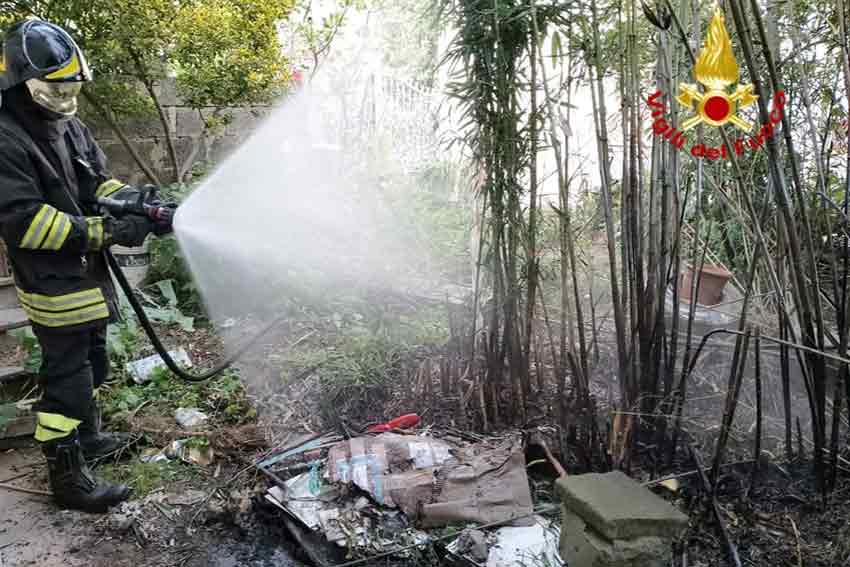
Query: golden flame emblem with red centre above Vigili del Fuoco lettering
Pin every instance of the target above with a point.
(716, 69)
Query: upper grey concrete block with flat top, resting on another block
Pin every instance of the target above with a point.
(617, 507)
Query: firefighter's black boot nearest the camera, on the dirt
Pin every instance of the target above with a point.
(73, 484)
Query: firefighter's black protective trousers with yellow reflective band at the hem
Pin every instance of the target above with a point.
(74, 365)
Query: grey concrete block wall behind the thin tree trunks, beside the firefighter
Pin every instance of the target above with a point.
(187, 127)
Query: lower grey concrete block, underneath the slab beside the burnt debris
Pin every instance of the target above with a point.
(582, 546)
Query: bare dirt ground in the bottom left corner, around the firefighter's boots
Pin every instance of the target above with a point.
(149, 532)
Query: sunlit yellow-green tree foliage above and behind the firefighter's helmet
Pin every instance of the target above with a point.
(222, 52)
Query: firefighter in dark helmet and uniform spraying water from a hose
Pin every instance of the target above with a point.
(51, 171)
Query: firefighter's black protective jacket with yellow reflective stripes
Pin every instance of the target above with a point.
(54, 238)
